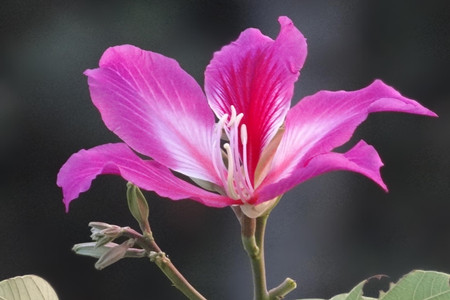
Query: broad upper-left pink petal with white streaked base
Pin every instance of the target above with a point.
(156, 108)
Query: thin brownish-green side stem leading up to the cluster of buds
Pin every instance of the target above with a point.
(147, 242)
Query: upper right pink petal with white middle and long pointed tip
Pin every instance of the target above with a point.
(326, 120)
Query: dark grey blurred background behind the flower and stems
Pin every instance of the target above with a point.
(328, 234)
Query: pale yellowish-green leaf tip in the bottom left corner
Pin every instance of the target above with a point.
(28, 287)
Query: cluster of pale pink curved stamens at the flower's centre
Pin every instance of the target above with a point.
(236, 181)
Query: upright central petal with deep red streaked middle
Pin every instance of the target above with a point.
(256, 75)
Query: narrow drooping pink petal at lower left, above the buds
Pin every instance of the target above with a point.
(77, 174)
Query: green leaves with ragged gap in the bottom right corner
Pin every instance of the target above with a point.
(417, 285)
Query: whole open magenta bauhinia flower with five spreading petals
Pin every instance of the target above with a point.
(239, 142)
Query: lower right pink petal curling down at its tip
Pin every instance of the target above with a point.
(362, 158)
